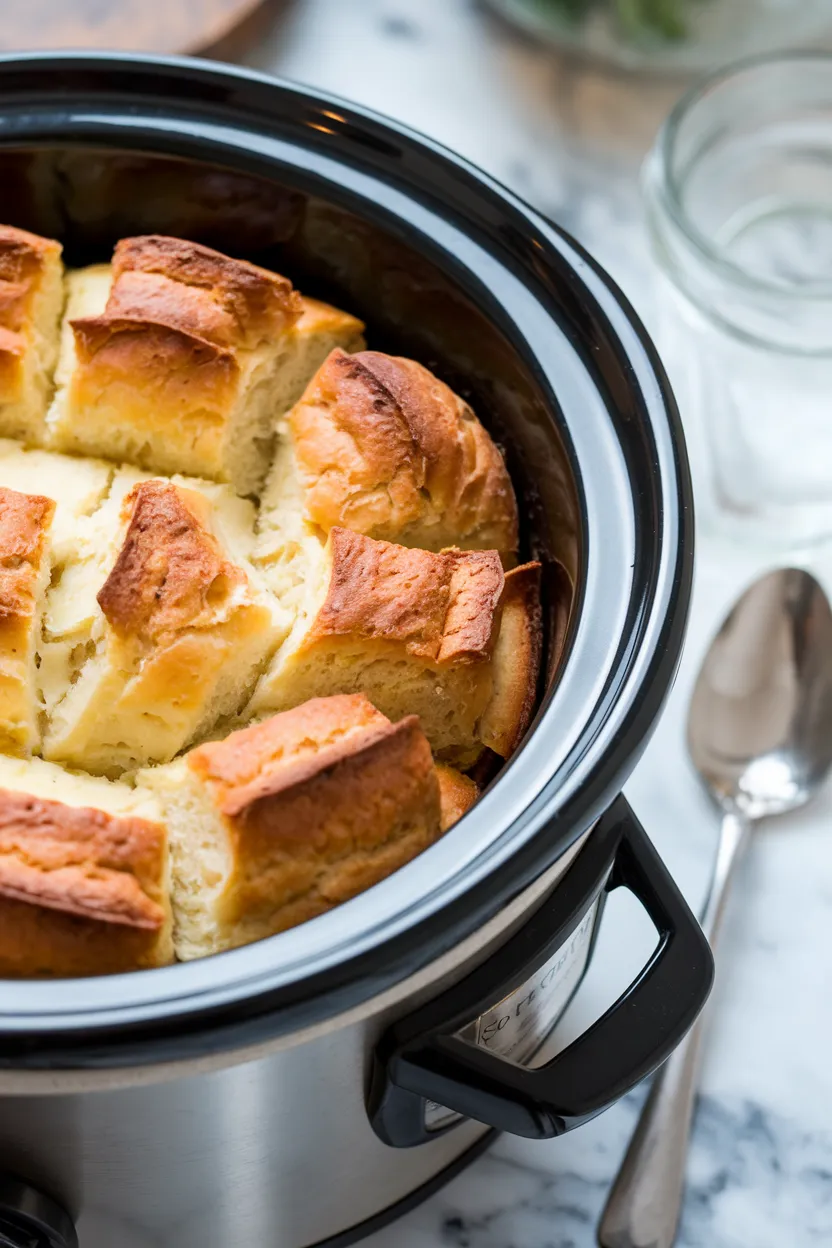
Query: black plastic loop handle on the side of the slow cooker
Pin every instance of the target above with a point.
(423, 1058)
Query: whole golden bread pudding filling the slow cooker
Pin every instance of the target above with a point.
(261, 607)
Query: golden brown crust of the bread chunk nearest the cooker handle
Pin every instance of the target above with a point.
(321, 803)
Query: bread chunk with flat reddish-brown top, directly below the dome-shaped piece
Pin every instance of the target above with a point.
(412, 630)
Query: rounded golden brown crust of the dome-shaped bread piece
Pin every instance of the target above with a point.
(386, 449)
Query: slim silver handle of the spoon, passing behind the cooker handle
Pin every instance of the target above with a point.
(644, 1206)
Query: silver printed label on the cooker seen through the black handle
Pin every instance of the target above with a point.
(518, 1025)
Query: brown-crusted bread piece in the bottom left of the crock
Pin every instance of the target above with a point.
(84, 875)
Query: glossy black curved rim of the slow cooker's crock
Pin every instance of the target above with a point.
(535, 813)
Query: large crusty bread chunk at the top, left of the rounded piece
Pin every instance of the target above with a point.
(179, 359)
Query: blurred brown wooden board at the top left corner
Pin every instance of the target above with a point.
(120, 26)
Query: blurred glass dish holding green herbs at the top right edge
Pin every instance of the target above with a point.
(673, 36)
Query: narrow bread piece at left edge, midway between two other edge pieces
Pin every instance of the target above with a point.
(26, 530)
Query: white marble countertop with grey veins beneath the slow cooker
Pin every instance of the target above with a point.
(572, 140)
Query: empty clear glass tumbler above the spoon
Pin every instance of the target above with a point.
(739, 192)
